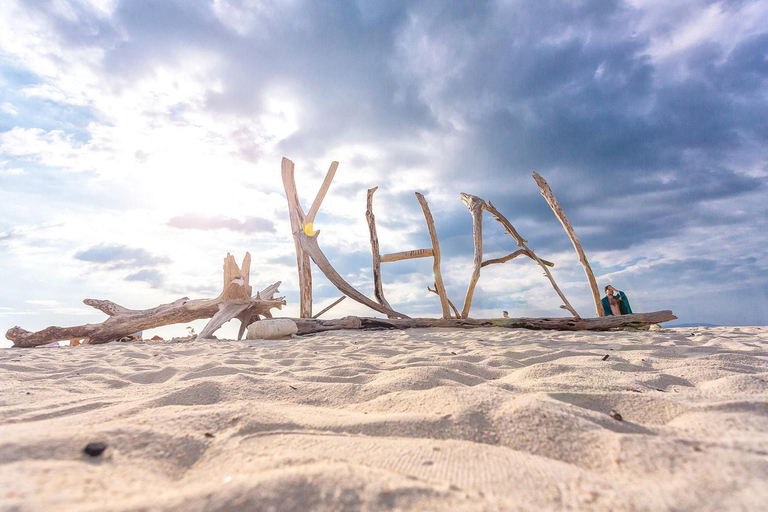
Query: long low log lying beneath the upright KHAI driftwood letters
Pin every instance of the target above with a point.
(606, 323)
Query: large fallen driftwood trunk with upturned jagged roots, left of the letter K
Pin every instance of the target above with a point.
(234, 299)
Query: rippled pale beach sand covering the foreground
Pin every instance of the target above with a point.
(485, 419)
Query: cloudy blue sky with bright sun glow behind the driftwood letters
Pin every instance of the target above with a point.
(141, 141)
